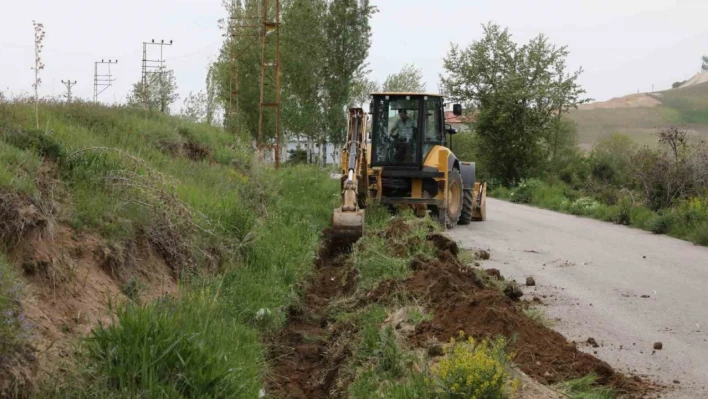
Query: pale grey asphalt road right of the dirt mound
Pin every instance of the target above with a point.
(592, 277)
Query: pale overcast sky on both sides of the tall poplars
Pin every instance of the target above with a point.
(623, 45)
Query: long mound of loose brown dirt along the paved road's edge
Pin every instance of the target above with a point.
(460, 303)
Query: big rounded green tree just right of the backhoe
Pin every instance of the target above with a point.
(520, 91)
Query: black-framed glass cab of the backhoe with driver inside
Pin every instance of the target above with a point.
(405, 128)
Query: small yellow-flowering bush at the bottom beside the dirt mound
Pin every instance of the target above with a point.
(473, 369)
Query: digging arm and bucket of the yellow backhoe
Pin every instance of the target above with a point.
(349, 218)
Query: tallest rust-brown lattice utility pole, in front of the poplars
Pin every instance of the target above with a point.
(270, 27)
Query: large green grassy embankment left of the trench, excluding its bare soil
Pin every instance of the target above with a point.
(238, 237)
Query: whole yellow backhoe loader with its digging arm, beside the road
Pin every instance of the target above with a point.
(405, 162)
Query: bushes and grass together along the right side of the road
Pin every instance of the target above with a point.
(661, 190)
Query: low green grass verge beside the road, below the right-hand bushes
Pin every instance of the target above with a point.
(687, 220)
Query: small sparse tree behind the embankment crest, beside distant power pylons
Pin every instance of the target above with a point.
(158, 94)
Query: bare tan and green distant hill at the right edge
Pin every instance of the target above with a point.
(641, 115)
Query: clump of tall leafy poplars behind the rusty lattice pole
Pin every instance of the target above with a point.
(319, 65)
